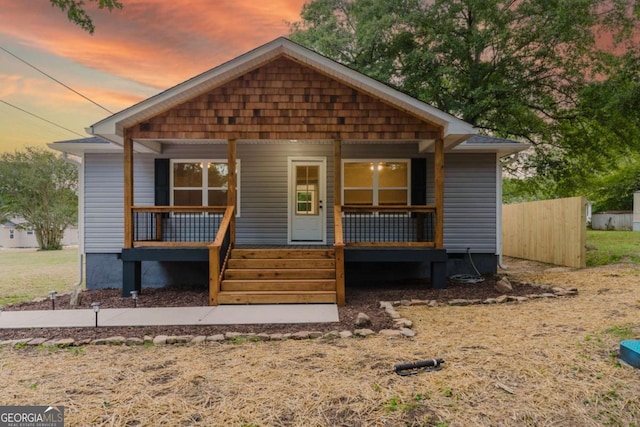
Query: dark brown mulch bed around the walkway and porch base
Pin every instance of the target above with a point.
(359, 300)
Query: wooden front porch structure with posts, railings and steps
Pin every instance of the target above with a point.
(299, 272)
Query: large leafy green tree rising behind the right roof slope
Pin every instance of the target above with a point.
(513, 68)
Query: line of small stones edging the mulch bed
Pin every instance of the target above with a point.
(402, 326)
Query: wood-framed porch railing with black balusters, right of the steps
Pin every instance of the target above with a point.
(387, 225)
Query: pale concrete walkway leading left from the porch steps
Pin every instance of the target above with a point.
(172, 316)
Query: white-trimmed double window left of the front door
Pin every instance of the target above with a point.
(202, 183)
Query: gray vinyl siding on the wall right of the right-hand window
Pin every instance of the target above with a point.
(469, 202)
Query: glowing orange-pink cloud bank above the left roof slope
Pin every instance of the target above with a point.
(156, 43)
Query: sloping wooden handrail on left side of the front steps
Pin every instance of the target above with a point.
(219, 252)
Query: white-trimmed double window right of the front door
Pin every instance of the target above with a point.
(376, 182)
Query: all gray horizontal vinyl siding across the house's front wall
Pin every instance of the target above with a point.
(470, 191)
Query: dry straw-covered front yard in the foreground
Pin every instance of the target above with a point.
(539, 363)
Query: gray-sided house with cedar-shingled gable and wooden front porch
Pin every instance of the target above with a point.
(279, 176)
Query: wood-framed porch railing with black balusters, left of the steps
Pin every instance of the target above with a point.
(176, 225)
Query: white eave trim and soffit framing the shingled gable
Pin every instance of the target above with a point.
(110, 128)
